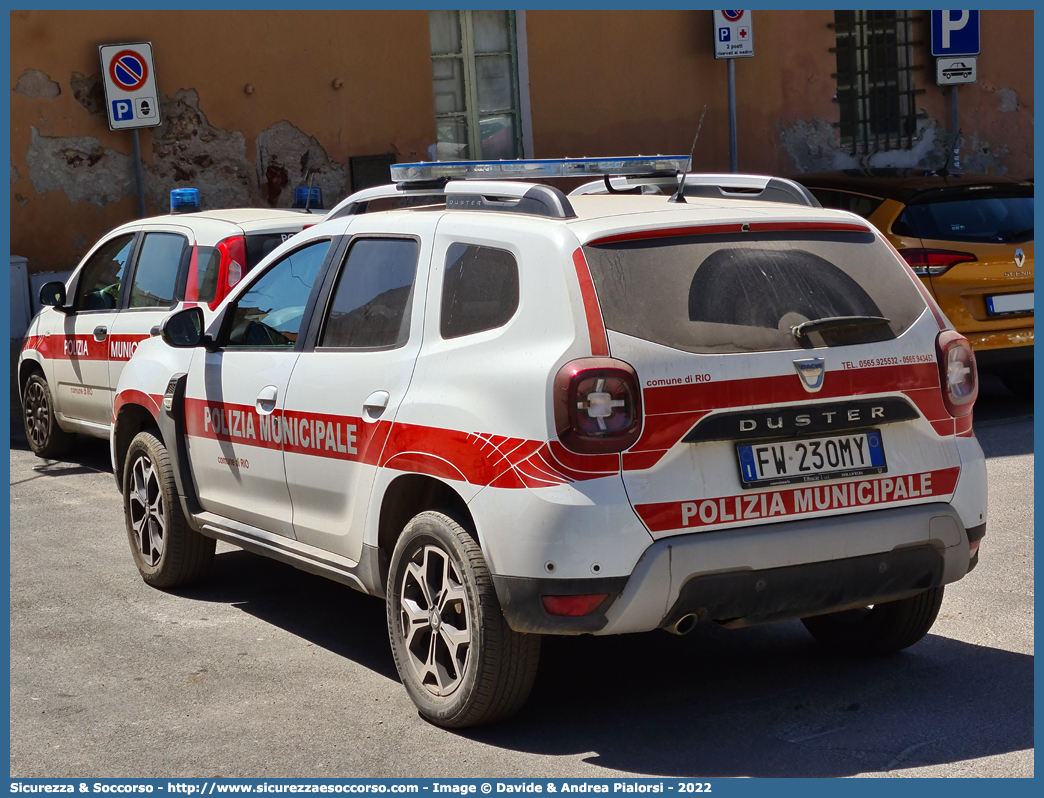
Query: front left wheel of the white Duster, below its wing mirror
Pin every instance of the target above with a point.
(168, 552)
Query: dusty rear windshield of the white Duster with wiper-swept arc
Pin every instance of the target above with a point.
(748, 292)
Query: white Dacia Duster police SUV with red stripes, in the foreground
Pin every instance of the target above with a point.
(515, 413)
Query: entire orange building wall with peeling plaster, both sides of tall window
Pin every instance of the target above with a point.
(602, 83)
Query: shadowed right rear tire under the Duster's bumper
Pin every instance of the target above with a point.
(882, 629)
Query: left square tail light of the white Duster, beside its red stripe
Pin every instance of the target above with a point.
(598, 406)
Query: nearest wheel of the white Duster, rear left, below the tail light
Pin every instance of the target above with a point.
(481, 672)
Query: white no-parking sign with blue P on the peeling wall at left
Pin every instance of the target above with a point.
(132, 99)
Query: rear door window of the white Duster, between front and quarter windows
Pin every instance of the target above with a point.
(374, 296)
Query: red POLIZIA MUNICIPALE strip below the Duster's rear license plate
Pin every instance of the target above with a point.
(724, 511)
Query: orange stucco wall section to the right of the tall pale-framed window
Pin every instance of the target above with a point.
(600, 87)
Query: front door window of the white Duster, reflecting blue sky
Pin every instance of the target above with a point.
(270, 312)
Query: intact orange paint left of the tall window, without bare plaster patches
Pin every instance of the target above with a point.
(292, 59)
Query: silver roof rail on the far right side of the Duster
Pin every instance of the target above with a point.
(762, 187)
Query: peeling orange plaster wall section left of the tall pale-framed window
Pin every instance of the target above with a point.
(366, 90)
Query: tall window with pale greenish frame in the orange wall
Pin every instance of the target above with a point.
(474, 65)
